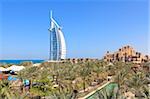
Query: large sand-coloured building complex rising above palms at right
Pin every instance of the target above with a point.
(126, 54)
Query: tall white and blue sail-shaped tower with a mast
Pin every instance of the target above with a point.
(57, 41)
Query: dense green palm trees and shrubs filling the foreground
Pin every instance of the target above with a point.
(69, 81)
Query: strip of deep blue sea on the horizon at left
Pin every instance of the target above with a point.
(19, 61)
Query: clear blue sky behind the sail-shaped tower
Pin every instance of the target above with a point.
(90, 27)
